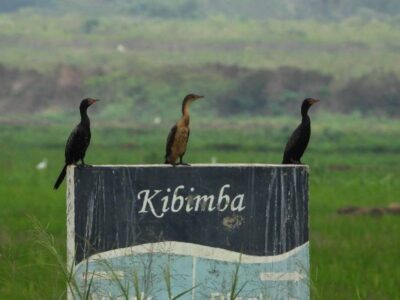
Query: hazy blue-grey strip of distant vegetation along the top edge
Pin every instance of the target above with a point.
(187, 9)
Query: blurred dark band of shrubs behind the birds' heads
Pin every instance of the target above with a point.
(231, 91)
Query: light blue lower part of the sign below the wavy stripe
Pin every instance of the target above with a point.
(212, 278)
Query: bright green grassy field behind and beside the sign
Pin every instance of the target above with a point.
(353, 161)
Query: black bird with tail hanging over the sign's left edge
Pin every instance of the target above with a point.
(78, 141)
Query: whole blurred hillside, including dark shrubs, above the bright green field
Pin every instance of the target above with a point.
(258, 58)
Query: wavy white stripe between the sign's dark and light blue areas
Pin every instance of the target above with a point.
(180, 248)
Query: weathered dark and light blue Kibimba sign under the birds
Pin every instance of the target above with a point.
(201, 232)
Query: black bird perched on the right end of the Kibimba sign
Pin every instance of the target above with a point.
(299, 139)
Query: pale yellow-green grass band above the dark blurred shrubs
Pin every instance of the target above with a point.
(348, 48)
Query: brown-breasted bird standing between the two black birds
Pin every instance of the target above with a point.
(178, 137)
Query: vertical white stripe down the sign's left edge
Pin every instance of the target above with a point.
(70, 223)
